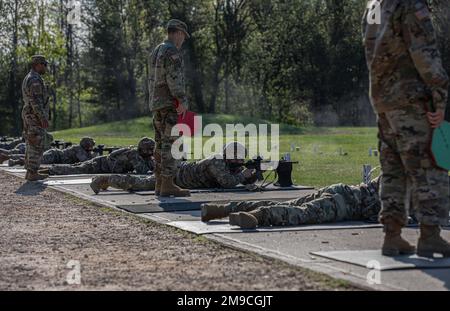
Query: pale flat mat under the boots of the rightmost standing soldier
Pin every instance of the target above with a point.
(374, 260)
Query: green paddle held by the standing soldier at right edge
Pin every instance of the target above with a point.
(440, 146)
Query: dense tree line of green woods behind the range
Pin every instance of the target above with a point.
(299, 62)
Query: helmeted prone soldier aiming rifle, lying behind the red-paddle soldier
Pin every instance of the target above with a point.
(213, 172)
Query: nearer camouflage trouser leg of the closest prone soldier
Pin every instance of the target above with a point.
(328, 208)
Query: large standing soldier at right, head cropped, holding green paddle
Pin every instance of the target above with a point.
(406, 74)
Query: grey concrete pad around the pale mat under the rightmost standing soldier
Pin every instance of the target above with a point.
(295, 247)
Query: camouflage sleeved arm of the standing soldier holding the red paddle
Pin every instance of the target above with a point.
(175, 77)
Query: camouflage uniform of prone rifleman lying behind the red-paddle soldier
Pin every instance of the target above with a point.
(208, 173)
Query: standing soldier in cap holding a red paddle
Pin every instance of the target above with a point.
(168, 99)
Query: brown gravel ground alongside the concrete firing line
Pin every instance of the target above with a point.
(42, 230)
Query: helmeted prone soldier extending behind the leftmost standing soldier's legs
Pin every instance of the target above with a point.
(71, 155)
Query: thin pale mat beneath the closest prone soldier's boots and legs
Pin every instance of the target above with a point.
(199, 227)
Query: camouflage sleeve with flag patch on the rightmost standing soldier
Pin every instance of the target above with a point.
(420, 38)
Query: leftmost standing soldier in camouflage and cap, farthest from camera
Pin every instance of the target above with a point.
(35, 115)
